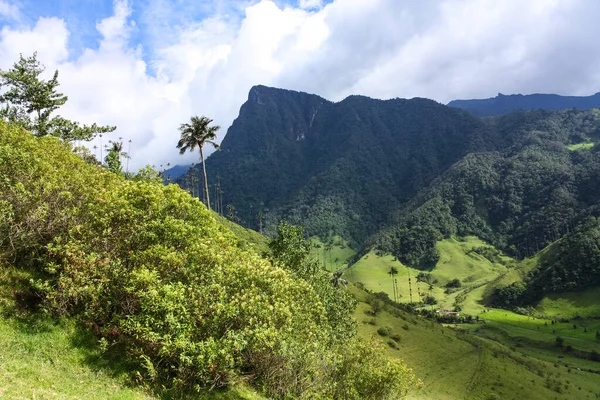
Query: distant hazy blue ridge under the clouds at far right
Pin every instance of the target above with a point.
(504, 104)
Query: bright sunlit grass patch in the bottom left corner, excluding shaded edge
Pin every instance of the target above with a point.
(40, 359)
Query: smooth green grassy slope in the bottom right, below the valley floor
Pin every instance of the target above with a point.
(460, 365)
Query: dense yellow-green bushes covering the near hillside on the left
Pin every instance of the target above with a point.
(148, 269)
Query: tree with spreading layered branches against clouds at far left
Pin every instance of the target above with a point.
(30, 101)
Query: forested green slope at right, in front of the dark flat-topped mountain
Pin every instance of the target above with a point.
(521, 198)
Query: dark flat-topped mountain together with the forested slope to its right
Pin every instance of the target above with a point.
(400, 175)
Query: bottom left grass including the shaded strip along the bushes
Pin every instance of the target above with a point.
(44, 358)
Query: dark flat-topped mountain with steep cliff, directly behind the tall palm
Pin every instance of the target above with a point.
(340, 168)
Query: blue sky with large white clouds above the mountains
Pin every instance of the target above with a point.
(147, 66)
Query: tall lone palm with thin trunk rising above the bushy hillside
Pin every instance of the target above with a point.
(196, 134)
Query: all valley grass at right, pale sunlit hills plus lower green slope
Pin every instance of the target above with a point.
(504, 356)
